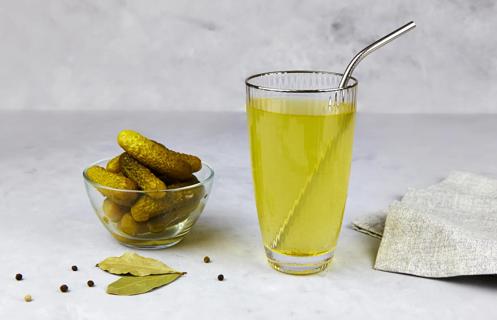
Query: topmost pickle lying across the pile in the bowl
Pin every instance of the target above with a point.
(153, 155)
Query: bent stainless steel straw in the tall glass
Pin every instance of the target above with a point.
(343, 83)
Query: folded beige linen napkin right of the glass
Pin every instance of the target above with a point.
(448, 229)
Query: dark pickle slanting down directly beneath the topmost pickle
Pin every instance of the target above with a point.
(145, 179)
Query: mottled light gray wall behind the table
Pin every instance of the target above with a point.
(159, 55)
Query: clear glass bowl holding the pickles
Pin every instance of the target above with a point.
(167, 215)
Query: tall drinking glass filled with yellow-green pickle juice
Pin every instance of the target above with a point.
(301, 131)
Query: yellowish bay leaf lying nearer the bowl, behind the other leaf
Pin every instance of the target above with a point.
(134, 264)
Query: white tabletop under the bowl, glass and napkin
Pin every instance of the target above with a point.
(47, 223)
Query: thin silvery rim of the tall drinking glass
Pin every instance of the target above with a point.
(248, 82)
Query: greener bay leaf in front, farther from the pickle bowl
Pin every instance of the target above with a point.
(128, 286)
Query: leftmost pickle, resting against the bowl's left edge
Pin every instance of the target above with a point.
(109, 179)
